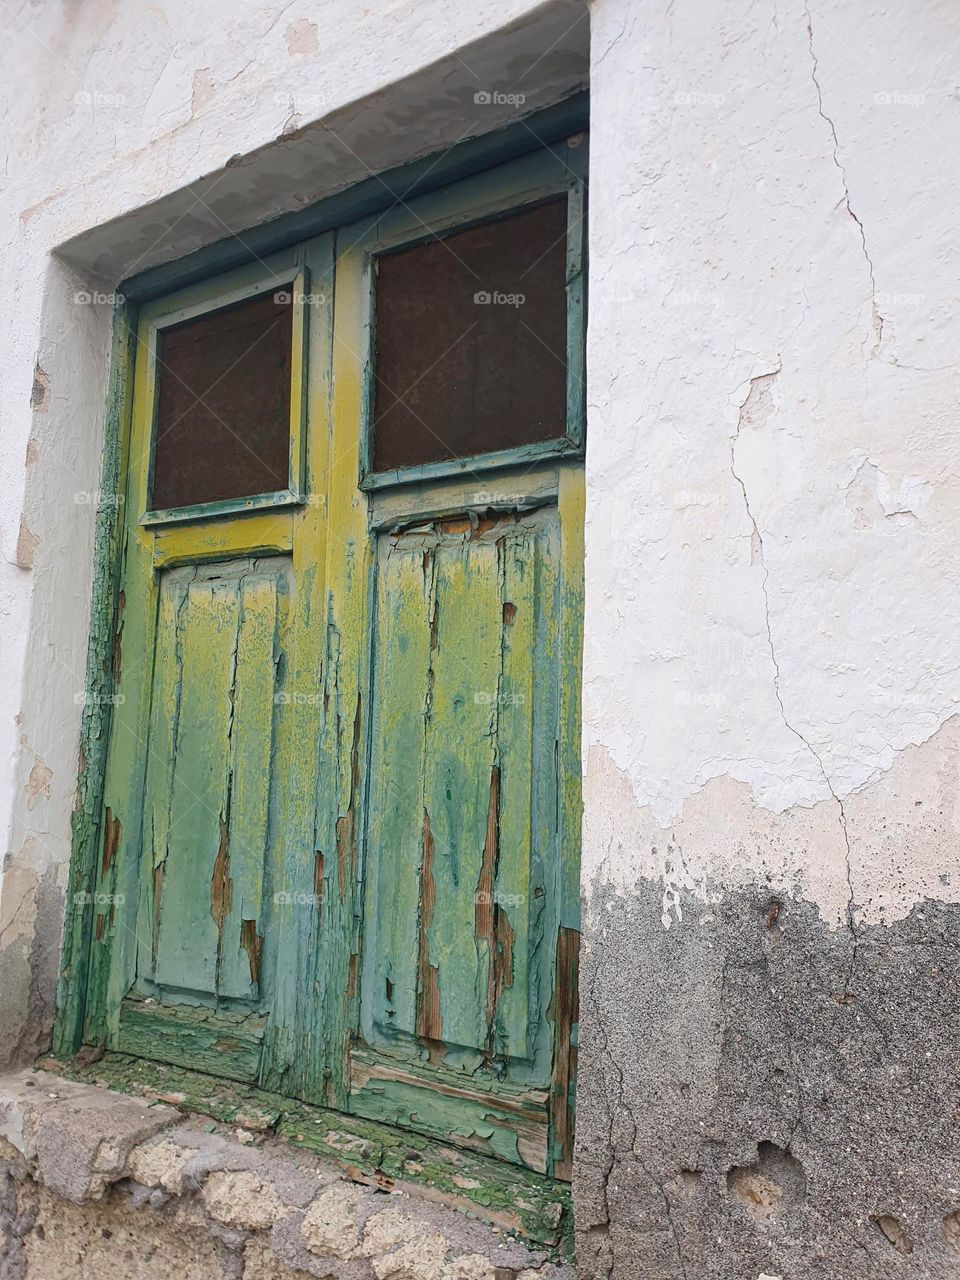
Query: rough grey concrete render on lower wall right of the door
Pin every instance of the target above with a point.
(792, 1105)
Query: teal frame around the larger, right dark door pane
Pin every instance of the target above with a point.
(486, 198)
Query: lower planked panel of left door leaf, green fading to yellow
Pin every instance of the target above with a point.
(209, 780)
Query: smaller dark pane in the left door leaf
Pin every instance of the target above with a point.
(223, 419)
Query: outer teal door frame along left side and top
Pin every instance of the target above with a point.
(381, 193)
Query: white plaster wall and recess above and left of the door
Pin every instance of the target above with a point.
(122, 116)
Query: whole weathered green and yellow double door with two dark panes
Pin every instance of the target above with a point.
(341, 824)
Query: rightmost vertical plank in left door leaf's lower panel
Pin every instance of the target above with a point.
(253, 742)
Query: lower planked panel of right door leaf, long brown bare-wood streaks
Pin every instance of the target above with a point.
(463, 854)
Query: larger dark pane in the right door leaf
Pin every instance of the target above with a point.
(472, 337)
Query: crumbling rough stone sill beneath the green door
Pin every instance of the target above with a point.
(97, 1183)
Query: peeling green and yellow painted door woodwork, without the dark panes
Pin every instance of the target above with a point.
(341, 808)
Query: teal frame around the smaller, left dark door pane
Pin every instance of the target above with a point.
(280, 275)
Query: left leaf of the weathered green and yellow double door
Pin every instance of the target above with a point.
(182, 966)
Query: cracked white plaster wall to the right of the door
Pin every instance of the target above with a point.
(774, 461)
